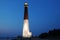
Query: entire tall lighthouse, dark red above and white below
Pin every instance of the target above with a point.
(26, 31)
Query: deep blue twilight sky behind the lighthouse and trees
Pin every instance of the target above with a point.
(44, 15)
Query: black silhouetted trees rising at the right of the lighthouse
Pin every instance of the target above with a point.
(51, 34)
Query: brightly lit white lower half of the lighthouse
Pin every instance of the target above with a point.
(26, 32)
